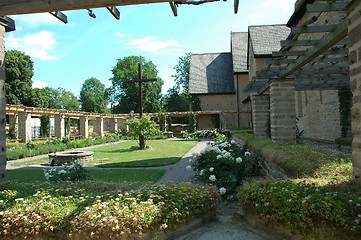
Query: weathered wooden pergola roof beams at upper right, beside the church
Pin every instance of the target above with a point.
(315, 53)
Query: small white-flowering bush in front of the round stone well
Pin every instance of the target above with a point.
(73, 171)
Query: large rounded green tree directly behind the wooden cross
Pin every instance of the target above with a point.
(125, 96)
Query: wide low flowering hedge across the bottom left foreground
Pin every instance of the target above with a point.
(89, 210)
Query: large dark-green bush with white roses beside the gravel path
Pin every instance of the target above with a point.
(226, 165)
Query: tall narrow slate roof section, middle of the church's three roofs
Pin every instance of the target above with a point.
(239, 47)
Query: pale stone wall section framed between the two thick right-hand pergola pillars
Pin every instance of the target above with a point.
(318, 114)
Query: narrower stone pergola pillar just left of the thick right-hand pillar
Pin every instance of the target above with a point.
(260, 114)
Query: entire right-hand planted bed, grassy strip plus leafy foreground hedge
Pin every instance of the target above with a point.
(319, 195)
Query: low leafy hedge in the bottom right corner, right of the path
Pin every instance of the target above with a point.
(303, 207)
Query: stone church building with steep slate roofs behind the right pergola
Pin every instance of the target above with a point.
(220, 81)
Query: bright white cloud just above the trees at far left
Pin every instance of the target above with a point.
(37, 45)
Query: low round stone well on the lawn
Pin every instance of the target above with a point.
(58, 159)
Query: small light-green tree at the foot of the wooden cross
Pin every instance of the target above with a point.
(142, 129)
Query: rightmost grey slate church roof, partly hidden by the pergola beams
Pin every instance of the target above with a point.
(266, 39)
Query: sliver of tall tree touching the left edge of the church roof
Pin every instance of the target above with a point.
(181, 77)
